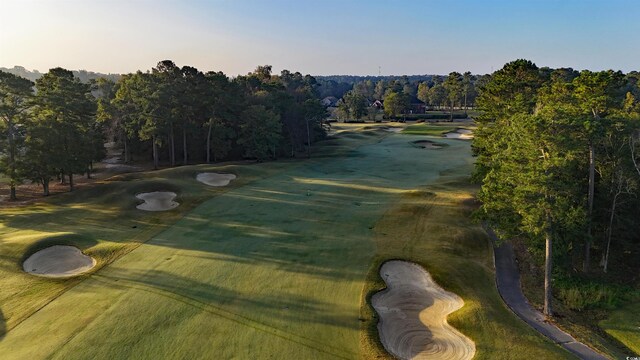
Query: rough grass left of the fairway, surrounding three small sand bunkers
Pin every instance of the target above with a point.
(102, 221)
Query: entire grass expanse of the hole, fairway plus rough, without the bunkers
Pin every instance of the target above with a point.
(278, 265)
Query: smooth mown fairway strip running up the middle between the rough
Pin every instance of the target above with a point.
(273, 268)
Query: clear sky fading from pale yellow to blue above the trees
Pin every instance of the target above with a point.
(320, 37)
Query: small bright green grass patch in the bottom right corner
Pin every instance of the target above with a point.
(624, 326)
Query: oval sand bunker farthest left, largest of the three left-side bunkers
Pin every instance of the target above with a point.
(58, 261)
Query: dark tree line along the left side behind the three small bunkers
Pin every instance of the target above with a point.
(57, 127)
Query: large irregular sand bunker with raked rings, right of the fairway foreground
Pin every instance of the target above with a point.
(413, 315)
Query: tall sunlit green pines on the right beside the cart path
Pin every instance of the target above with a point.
(556, 155)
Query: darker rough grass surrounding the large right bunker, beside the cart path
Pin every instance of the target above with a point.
(432, 227)
